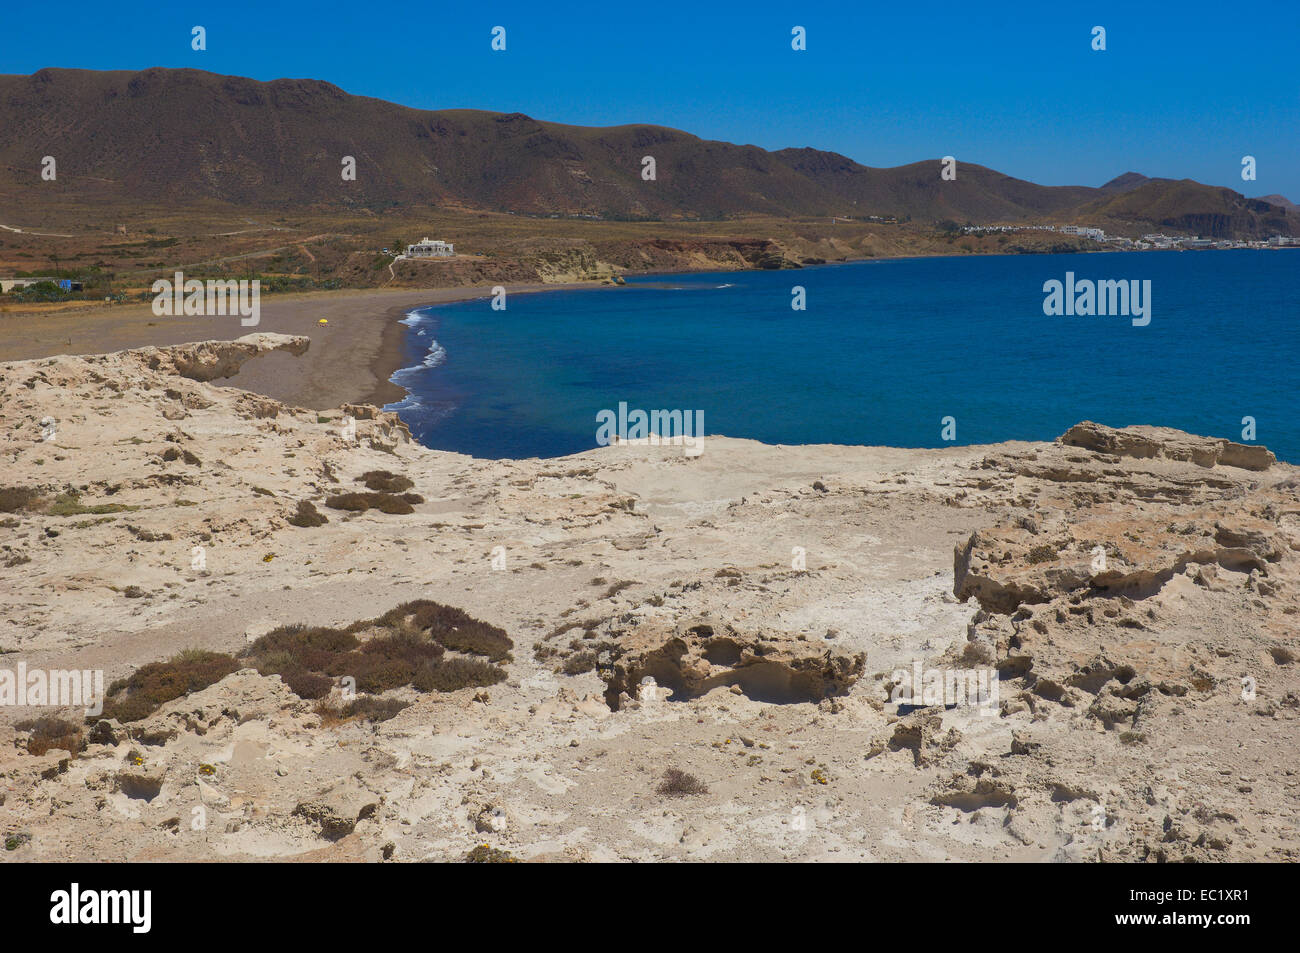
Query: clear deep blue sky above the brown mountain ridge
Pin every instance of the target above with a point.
(1184, 90)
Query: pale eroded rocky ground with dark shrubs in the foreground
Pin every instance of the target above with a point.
(743, 618)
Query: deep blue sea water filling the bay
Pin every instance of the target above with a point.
(882, 354)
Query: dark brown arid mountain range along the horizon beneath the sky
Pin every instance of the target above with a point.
(187, 137)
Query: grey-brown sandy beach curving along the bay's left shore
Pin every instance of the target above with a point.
(350, 359)
